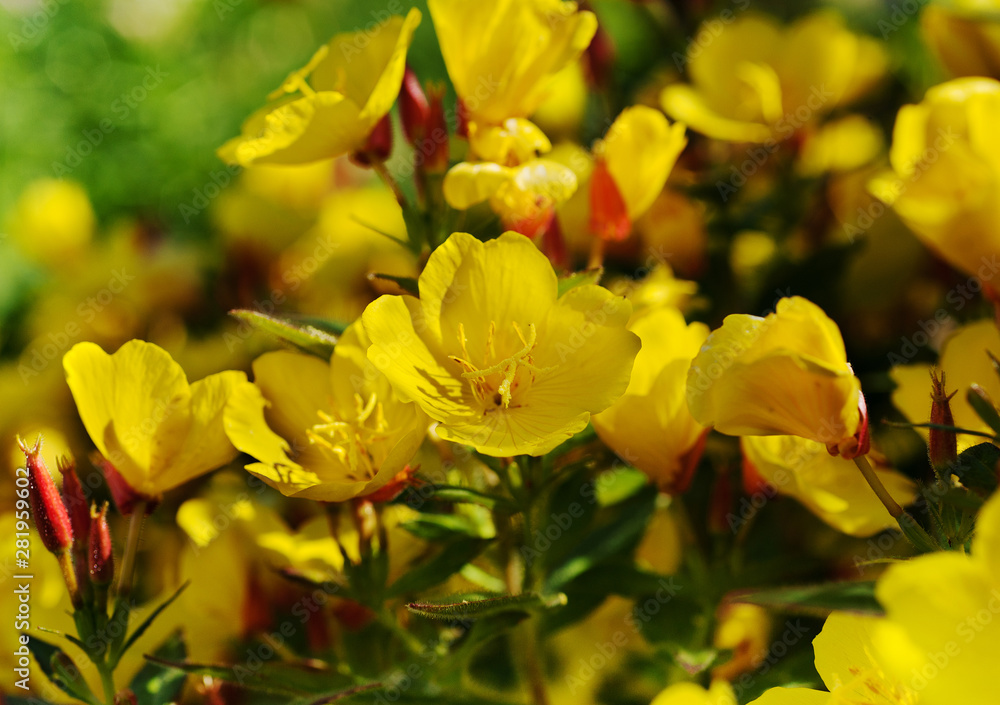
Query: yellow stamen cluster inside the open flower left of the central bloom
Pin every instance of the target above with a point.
(351, 442)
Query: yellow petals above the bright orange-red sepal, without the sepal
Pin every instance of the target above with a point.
(640, 149)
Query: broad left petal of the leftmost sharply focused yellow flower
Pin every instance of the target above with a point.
(135, 406)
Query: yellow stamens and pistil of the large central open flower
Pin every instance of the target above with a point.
(495, 384)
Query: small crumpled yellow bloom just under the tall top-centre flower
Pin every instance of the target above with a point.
(525, 196)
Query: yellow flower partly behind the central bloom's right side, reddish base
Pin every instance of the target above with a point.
(650, 426)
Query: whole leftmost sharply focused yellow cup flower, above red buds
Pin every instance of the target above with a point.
(157, 430)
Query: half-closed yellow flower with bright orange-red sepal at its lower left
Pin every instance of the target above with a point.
(632, 164)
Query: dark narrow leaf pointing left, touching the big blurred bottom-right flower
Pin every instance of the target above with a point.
(817, 600)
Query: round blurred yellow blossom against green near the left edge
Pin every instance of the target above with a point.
(52, 221)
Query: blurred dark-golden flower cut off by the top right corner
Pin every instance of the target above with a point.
(965, 35)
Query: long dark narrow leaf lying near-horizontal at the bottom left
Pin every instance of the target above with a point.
(273, 678)
